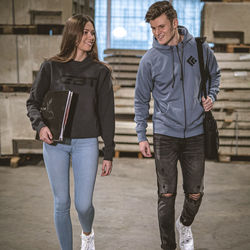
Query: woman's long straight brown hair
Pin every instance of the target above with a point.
(72, 34)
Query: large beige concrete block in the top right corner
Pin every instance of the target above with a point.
(226, 17)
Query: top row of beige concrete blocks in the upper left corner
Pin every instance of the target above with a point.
(22, 8)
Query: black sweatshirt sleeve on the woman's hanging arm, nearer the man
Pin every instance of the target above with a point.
(106, 113)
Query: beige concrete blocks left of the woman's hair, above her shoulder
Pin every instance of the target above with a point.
(32, 49)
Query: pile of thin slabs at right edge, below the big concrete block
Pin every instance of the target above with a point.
(233, 105)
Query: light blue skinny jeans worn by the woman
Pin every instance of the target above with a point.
(84, 153)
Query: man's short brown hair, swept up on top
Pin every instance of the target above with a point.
(159, 8)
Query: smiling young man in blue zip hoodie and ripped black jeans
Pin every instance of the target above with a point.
(170, 70)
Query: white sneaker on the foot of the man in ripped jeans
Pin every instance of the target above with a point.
(186, 241)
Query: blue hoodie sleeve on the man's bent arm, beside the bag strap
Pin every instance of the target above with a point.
(214, 74)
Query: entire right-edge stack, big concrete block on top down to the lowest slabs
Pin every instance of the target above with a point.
(226, 25)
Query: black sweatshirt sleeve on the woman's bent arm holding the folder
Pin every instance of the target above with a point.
(38, 90)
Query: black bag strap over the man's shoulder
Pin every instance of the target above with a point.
(199, 42)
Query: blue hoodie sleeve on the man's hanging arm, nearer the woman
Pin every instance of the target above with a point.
(143, 88)
